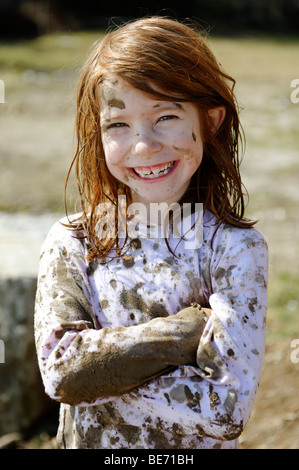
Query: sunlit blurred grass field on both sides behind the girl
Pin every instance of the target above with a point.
(37, 140)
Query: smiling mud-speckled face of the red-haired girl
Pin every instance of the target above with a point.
(152, 146)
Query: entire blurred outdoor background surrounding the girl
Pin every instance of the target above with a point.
(43, 44)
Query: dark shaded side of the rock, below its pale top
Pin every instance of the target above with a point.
(22, 397)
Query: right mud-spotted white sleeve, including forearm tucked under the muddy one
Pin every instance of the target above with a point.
(217, 396)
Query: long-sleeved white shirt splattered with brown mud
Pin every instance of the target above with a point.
(129, 371)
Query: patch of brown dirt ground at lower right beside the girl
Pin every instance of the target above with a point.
(274, 422)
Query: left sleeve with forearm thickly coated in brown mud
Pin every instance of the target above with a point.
(82, 363)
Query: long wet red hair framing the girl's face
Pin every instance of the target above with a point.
(173, 57)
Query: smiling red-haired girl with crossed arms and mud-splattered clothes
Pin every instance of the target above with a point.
(149, 340)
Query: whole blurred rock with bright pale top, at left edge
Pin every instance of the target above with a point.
(22, 396)
